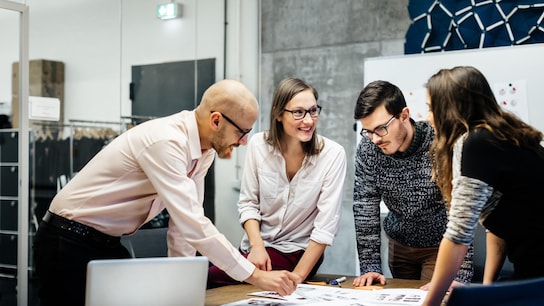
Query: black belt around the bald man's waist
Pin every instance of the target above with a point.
(78, 229)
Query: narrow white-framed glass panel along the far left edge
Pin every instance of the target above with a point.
(14, 237)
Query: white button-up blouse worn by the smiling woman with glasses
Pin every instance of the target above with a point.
(292, 212)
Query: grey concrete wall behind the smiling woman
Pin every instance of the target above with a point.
(325, 43)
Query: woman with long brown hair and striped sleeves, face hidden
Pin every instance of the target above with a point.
(489, 165)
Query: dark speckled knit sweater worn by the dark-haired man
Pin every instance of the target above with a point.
(417, 214)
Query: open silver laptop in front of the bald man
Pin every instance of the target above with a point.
(157, 281)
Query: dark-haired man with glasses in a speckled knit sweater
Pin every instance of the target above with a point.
(393, 164)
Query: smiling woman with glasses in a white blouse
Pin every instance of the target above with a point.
(292, 188)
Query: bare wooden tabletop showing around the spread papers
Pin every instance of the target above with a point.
(233, 293)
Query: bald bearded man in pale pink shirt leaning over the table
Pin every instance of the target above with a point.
(158, 164)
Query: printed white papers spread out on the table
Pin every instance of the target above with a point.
(328, 295)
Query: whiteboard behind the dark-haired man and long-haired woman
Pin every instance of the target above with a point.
(515, 73)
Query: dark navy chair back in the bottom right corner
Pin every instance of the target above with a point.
(507, 293)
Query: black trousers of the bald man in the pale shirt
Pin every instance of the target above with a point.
(61, 259)
